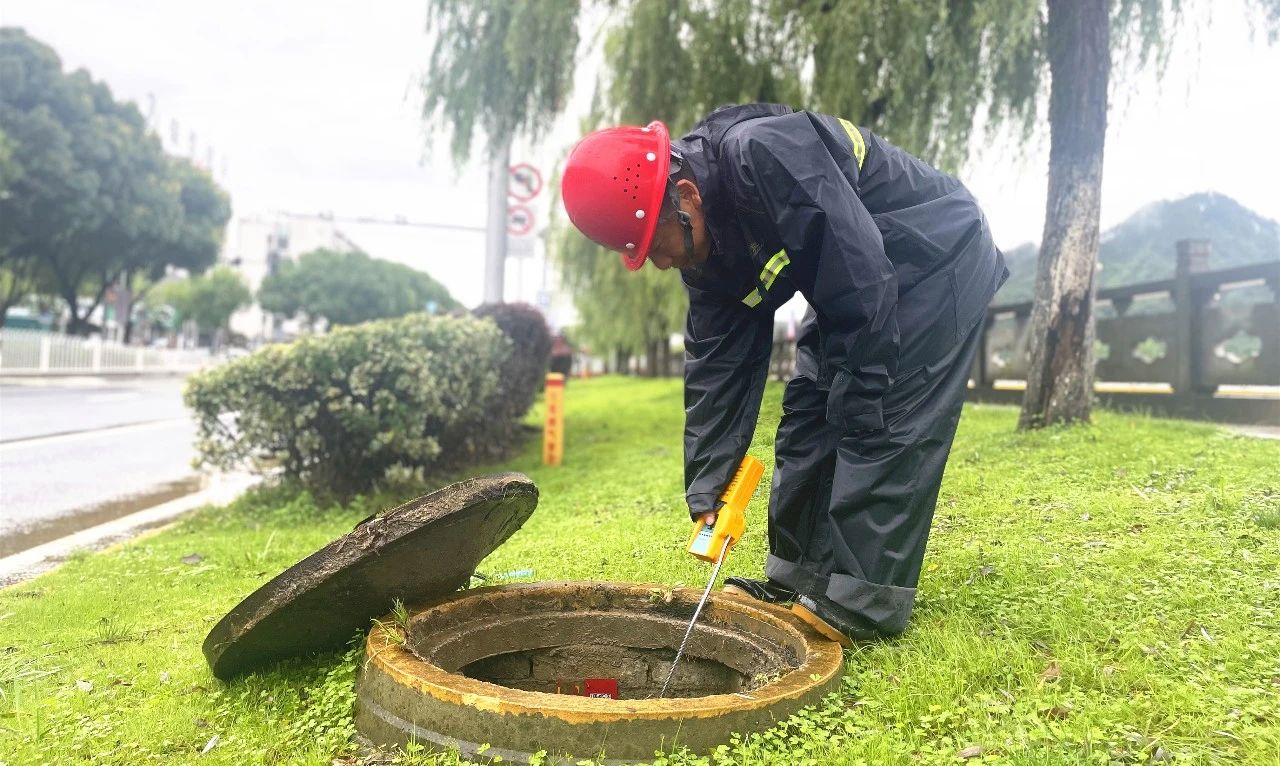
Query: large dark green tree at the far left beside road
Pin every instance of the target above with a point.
(97, 204)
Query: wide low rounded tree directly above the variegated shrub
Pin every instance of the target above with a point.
(350, 289)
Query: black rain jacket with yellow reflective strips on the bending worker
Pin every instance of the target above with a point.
(894, 257)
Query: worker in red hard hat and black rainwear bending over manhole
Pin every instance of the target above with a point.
(898, 266)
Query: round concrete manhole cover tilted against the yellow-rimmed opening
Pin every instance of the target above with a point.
(418, 551)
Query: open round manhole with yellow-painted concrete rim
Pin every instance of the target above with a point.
(510, 668)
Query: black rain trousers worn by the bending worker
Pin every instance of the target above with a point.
(851, 513)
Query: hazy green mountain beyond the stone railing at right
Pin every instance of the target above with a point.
(1142, 248)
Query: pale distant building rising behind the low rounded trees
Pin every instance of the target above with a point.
(257, 245)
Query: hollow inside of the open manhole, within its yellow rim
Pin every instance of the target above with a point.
(556, 641)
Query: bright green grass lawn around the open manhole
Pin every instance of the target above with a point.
(1091, 596)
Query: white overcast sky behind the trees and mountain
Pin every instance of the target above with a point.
(313, 107)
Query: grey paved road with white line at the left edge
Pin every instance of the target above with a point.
(77, 453)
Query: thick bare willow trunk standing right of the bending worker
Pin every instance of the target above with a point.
(1060, 373)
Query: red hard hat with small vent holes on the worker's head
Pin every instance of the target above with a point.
(614, 186)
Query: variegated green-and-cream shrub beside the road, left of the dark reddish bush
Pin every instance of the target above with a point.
(340, 411)
